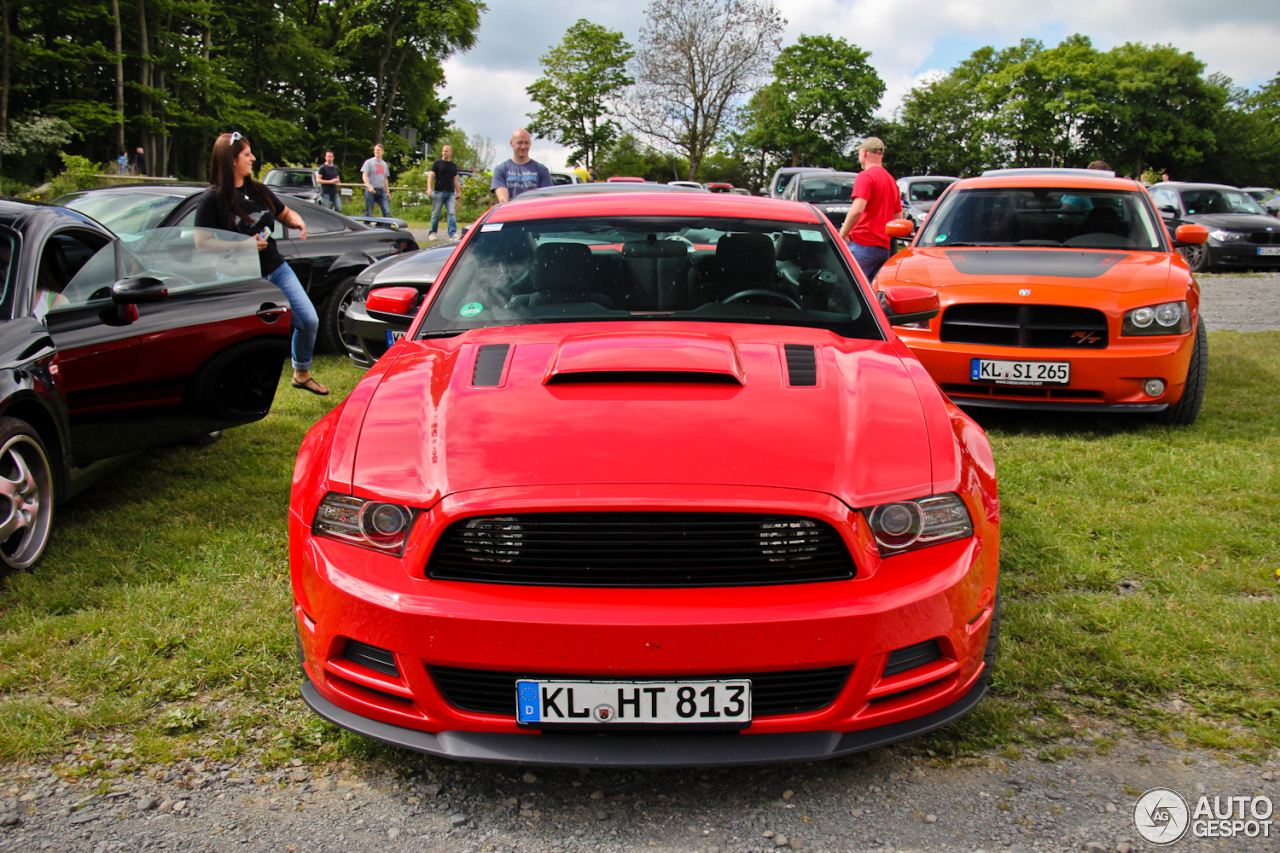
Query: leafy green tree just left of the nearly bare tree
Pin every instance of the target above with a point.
(579, 90)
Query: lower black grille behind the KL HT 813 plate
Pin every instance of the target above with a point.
(772, 694)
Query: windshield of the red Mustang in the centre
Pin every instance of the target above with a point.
(661, 268)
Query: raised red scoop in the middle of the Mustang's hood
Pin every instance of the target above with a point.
(646, 358)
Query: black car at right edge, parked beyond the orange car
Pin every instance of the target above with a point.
(1241, 234)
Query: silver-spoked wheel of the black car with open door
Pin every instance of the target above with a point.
(26, 495)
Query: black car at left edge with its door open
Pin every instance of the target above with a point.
(111, 346)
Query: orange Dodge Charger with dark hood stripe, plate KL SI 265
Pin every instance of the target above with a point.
(1060, 290)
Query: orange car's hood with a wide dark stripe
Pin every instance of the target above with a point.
(1118, 272)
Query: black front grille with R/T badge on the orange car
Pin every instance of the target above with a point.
(1060, 327)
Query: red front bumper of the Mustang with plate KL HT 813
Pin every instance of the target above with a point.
(944, 594)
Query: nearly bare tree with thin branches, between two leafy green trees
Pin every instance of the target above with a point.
(697, 60)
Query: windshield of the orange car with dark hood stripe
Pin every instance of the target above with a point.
(1044, 217)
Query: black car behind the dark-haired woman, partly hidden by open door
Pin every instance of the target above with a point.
(337, 248)
